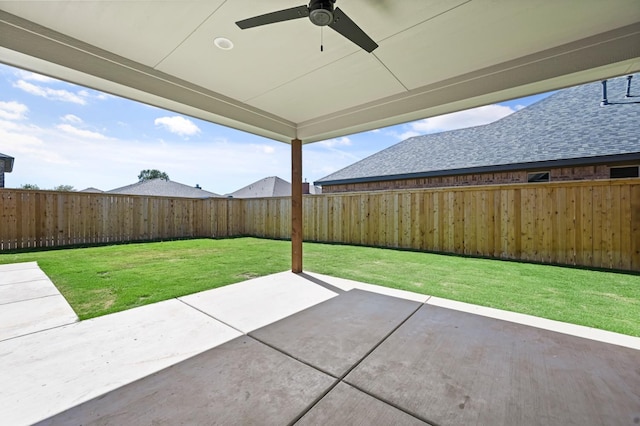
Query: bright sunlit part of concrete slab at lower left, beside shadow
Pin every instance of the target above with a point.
(46, 372)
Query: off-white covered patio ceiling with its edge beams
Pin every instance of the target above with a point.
(434, 56)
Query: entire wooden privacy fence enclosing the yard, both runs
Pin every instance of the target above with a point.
(595, 223)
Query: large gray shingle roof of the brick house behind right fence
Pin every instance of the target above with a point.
(568, 126)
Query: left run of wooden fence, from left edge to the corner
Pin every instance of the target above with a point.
(33, 219)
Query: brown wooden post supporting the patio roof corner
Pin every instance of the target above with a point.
(296, 206)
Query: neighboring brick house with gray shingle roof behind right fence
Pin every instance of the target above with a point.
(566, 136)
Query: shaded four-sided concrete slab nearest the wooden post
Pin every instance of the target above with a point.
(334, 335)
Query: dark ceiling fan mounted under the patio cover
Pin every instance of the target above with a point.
(321, 13)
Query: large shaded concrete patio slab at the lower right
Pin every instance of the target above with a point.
(450, 367)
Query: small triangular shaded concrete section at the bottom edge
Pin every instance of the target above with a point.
(345, 405)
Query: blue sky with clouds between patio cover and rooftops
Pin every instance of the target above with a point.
(64, 134)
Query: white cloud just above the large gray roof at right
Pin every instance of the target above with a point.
(458, 120)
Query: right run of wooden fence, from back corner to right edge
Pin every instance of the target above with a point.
(595, 223)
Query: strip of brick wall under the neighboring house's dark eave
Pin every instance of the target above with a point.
(558, 174)
